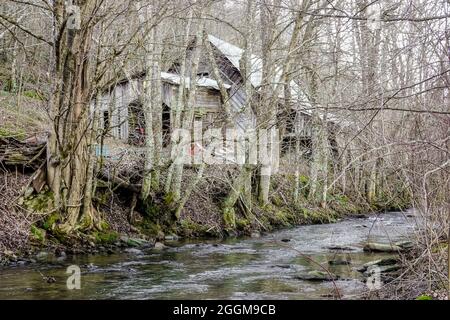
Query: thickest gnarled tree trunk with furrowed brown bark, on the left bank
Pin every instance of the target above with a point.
(68, 147)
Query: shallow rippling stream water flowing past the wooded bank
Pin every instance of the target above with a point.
(243, 268)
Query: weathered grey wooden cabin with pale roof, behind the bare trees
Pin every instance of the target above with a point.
(121, 108)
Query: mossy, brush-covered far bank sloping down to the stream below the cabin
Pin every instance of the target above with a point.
(28, 224)
